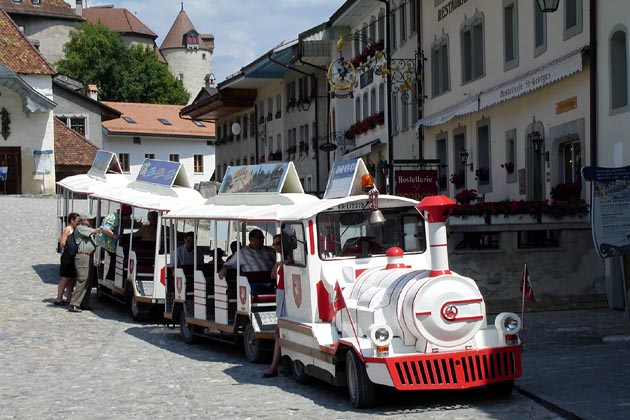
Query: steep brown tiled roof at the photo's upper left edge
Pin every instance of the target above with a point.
(17, 53)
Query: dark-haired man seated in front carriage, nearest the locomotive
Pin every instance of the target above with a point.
(253, 257)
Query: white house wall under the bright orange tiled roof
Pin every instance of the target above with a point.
(162, 148)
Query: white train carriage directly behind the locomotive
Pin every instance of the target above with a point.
(251, 197)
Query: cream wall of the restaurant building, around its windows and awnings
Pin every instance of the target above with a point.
(535, 109)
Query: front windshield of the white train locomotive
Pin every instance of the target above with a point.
(354, 233)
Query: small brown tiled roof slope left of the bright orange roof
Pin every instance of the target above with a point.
(71, 148)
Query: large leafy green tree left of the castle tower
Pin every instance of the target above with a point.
(95, 54)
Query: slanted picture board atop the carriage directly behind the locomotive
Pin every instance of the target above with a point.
(266, 177)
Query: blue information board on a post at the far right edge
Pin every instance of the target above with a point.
(610, 209)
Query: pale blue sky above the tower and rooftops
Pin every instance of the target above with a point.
(243, 29)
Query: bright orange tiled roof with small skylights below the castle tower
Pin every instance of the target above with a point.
(147, 121)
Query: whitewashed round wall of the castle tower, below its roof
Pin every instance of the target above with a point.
(192, 64)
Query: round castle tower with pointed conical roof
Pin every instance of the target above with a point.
(188, 54)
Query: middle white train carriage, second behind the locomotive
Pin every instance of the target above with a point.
(138, 275)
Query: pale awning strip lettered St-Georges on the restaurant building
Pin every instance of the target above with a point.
(541, 76)
